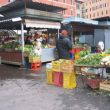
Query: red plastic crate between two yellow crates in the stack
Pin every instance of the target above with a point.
(58, 78)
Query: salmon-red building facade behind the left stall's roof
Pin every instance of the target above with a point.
(70, 5)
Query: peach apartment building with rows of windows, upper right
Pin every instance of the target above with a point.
(96, 9)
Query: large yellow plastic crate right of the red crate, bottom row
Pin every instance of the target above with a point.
(69, 81)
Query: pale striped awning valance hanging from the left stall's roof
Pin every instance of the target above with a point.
(42, 24)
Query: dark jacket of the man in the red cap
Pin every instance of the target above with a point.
(63, 46)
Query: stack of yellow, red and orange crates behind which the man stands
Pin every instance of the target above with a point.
(62, 74)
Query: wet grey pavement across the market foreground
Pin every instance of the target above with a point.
(22, 89)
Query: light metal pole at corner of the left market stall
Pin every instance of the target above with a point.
(22, 38)
